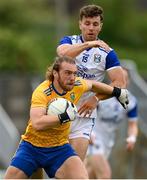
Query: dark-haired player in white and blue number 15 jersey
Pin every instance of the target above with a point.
(94, 58)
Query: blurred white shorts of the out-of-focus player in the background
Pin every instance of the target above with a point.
(102, 145)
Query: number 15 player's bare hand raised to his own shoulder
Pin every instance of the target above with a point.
(99, 43)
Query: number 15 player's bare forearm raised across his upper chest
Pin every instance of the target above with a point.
(72, 50)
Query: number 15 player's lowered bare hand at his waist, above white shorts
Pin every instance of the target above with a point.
(88, 106)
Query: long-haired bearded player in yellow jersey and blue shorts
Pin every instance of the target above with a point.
(45, 142)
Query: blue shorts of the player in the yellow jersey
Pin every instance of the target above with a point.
(29, 158)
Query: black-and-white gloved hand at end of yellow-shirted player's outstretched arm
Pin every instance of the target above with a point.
(122, 96)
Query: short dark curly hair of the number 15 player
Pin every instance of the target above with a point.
(91, 11)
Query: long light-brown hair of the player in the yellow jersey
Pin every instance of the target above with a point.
(56, 66)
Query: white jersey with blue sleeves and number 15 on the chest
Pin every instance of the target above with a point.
(92, 63)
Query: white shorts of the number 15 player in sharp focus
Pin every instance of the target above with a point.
(81, 127)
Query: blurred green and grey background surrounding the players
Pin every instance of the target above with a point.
(29, 33)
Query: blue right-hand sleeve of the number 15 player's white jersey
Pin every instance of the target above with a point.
(112, 60)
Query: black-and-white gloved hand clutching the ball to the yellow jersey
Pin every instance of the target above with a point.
(69, 114)
